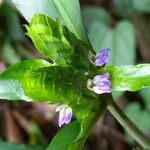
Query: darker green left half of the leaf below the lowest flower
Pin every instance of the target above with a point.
(65, 137)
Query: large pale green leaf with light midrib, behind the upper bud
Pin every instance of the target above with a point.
(67, 11)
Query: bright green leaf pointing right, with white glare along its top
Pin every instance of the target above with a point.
(129, 78)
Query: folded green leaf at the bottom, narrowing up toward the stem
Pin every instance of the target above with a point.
(74, 135)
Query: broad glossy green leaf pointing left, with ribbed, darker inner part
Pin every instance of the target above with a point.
(37, 80)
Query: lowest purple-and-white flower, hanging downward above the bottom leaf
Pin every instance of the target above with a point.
(65, 114)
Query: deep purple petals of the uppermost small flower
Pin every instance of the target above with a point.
(102, 57)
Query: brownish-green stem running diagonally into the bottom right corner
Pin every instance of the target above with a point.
(143, 140)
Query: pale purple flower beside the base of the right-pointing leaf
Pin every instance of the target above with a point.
(100, 84)
